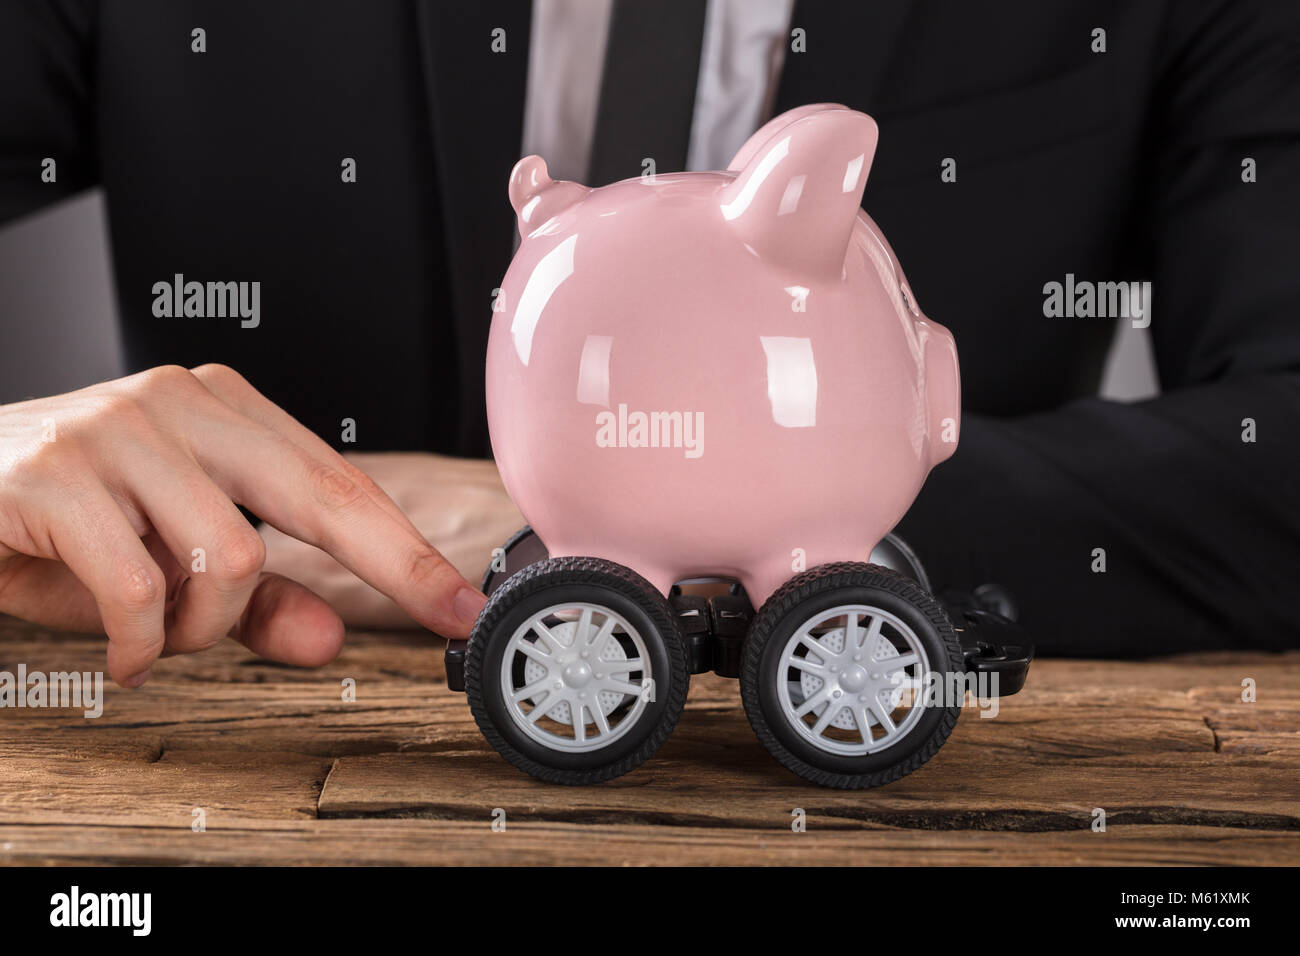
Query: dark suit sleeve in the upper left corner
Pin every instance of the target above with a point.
(46, 68)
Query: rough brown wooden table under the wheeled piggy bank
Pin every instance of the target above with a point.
(285, 772)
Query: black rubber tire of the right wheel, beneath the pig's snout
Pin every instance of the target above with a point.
(783, 613)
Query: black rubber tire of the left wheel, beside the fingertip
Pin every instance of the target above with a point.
(557, 581)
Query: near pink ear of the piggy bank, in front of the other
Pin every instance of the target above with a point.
(799, 194)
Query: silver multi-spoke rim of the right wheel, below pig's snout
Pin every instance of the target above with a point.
(857, 667)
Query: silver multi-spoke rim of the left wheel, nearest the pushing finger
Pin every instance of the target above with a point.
(577, 676)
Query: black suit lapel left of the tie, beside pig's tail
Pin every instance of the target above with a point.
(476, 114)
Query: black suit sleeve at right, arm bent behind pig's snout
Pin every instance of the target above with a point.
(1191, 500)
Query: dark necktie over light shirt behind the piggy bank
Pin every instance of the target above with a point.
(648, 93)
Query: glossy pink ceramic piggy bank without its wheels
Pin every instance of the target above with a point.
(765, 309)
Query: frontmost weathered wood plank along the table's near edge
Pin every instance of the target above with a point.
(408, 842)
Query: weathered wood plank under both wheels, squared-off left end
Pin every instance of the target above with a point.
(960, 789)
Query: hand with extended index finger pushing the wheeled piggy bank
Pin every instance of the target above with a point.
(119, 513)
